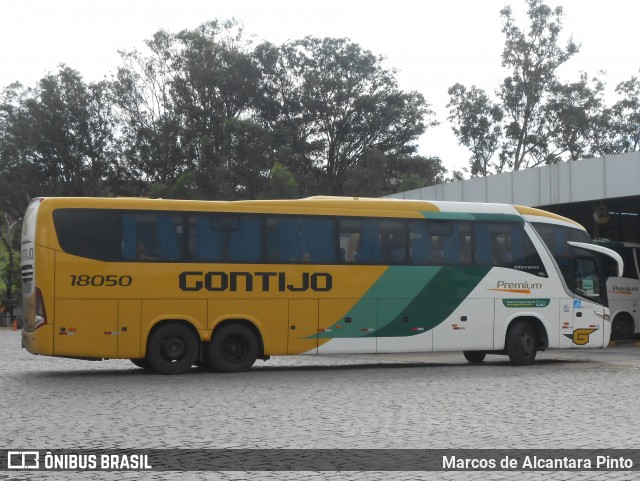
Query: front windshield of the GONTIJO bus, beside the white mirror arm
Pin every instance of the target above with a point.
(580, 268)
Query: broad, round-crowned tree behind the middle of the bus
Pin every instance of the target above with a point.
(334, 103)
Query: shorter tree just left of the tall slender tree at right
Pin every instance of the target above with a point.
(476, 123)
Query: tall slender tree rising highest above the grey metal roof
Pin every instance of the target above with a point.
(534, 57)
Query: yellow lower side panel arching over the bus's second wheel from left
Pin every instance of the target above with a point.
(270, 316)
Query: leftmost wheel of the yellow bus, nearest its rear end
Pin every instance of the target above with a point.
(173, 348)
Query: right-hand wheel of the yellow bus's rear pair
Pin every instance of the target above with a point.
(233, 348)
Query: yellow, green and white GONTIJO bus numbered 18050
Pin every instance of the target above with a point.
(171, 284)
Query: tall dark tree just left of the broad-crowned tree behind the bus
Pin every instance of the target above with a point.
(214, 90)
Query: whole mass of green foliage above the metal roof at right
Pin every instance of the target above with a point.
(538, 119)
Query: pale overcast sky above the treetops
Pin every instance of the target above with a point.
(432, 44)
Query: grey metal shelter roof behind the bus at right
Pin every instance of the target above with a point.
(603, 193)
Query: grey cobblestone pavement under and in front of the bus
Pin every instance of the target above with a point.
(567, 399)
